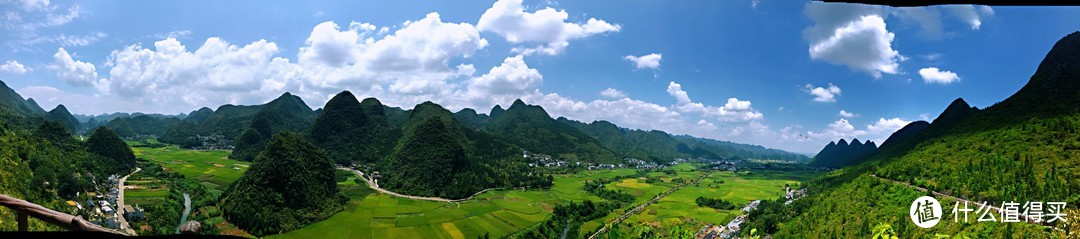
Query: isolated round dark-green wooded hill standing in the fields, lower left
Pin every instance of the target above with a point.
(289, 185)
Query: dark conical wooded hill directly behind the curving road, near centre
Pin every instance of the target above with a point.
(437, 156)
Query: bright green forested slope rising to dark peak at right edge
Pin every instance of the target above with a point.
(1024, 149)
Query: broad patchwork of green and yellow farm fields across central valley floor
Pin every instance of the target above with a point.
(506, 213)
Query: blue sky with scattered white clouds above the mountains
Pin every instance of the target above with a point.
(769, 73)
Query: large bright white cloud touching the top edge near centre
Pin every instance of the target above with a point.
(547, 26)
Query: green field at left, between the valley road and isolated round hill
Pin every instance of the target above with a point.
(213, 168)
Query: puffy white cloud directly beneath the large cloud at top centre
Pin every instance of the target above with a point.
(514, 76)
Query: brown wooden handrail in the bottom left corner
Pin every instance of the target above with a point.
(24, 208)
